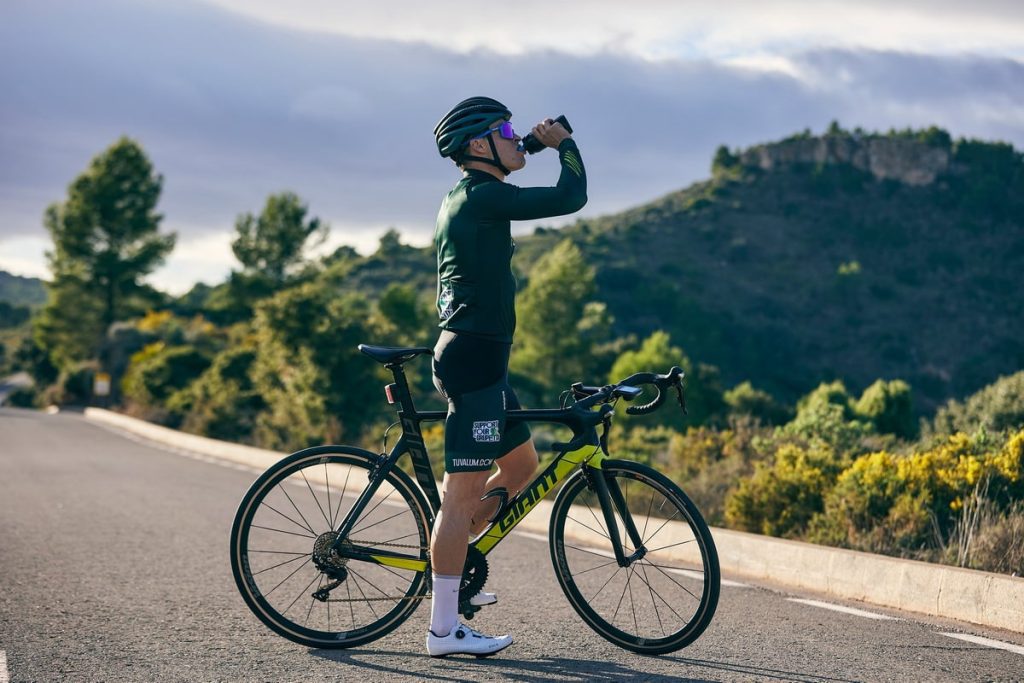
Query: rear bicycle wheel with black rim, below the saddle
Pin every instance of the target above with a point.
(278, 509)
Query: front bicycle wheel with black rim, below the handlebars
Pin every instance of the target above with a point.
(678, 574)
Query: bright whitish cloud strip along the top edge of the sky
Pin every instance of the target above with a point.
(662, 29)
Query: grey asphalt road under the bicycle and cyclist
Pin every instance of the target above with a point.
(114, 567)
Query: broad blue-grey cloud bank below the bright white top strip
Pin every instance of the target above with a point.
(232, 110)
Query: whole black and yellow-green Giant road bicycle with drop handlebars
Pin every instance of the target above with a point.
(330, 547)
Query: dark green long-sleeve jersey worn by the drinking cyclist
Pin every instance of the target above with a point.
(474, 237)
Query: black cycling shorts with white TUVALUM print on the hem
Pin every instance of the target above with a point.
(473, 374)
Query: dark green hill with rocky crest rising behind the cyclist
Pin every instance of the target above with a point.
(847, 255)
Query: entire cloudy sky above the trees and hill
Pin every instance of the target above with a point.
(336, 101)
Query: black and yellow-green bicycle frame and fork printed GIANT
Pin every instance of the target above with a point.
(515, 510)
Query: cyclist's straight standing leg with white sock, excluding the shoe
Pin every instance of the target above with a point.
(448, 545)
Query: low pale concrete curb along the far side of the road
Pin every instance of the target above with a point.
(935, 590)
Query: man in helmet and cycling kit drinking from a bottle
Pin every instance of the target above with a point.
(477, 307)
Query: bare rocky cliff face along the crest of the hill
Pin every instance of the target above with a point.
(909, 161)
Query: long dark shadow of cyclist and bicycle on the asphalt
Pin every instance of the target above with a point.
(420, 666)
